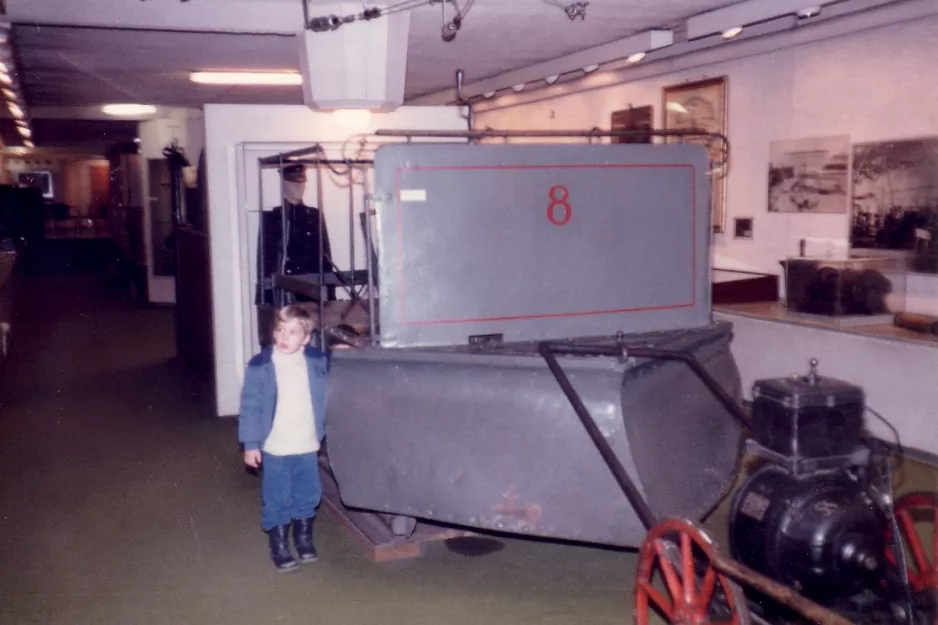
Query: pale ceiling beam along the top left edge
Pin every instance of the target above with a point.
(281, 17)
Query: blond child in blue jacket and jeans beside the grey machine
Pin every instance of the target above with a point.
(282, 424)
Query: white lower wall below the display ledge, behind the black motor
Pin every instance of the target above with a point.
(898, 376)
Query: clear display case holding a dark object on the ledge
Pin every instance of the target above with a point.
(858, 290)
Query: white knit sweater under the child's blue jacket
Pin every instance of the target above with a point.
(294, 430)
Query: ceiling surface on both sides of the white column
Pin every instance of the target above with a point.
(66, 66)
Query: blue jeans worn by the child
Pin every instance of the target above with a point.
(290, 488)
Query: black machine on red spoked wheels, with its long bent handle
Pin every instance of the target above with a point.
(813, 524)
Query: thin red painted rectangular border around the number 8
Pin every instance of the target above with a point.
(400, 240)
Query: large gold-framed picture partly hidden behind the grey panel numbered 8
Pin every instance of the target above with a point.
(701, 106)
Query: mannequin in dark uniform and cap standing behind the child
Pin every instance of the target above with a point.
(302, 238)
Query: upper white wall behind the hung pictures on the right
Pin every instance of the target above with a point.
(873, 85)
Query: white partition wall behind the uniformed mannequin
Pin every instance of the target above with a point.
(235, 136)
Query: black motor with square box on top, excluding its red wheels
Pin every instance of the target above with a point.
(817, 514)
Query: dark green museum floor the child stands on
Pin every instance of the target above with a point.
(125, 502)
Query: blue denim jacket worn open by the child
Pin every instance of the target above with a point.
(259, 396)
